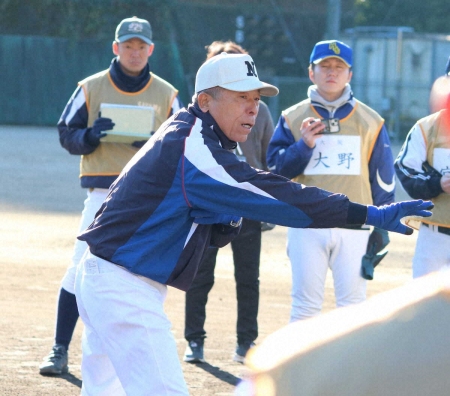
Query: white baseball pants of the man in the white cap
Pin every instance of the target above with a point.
(128, 348)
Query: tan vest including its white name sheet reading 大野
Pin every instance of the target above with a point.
(340, 161)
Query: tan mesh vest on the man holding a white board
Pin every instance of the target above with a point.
(110, 158)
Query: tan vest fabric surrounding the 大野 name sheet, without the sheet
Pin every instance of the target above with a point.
(363, 122)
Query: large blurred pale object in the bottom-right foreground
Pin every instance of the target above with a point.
(396, 343)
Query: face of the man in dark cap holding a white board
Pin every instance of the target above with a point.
(133, 55)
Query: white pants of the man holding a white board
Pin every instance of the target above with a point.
(92, 204)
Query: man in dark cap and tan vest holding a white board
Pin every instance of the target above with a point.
(127, 82)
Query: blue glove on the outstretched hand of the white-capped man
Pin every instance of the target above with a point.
(388, 217)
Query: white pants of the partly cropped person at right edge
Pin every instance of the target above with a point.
(432, 251)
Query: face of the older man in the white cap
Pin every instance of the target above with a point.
(234, 112)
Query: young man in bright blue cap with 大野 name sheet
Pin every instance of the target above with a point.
(333, 141)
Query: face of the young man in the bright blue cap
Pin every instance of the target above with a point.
(330, 76)
